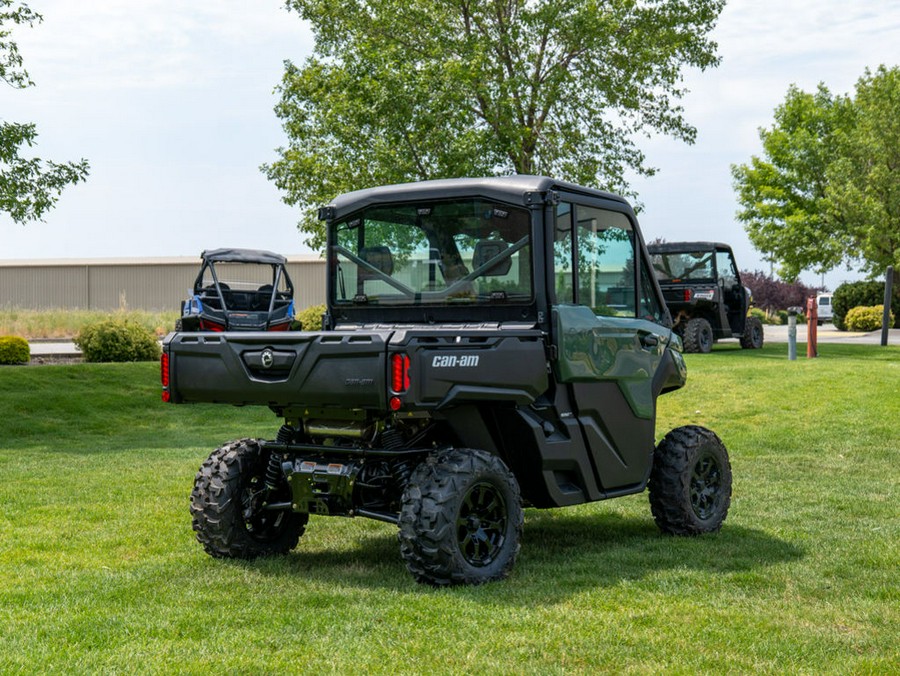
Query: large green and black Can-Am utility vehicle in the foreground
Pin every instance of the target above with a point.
(488, 344)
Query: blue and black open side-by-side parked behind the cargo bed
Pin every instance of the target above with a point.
(239, 290)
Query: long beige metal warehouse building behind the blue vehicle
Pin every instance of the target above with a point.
(128, 283)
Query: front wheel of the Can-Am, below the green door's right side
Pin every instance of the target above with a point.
(690, 483)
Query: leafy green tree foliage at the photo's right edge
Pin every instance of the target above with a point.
(827, 191)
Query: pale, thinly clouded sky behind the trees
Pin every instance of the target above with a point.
(172, 104)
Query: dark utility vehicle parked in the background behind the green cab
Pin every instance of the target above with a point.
(704, 293)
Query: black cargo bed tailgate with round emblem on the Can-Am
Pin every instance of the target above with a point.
(345, 368)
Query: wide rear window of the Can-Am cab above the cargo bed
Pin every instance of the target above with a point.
(450, 252)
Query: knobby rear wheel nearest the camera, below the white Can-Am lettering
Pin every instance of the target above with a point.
(461, 519)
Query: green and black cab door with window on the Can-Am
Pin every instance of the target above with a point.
(611, 336)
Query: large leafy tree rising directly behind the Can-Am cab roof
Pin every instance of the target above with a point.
(420, 89)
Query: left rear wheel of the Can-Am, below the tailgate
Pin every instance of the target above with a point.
(227, 506)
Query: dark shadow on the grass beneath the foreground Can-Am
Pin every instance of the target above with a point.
(562, 554)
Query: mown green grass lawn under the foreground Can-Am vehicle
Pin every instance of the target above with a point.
(100, 573)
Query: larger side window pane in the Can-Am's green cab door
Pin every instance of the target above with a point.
(605, 262)
